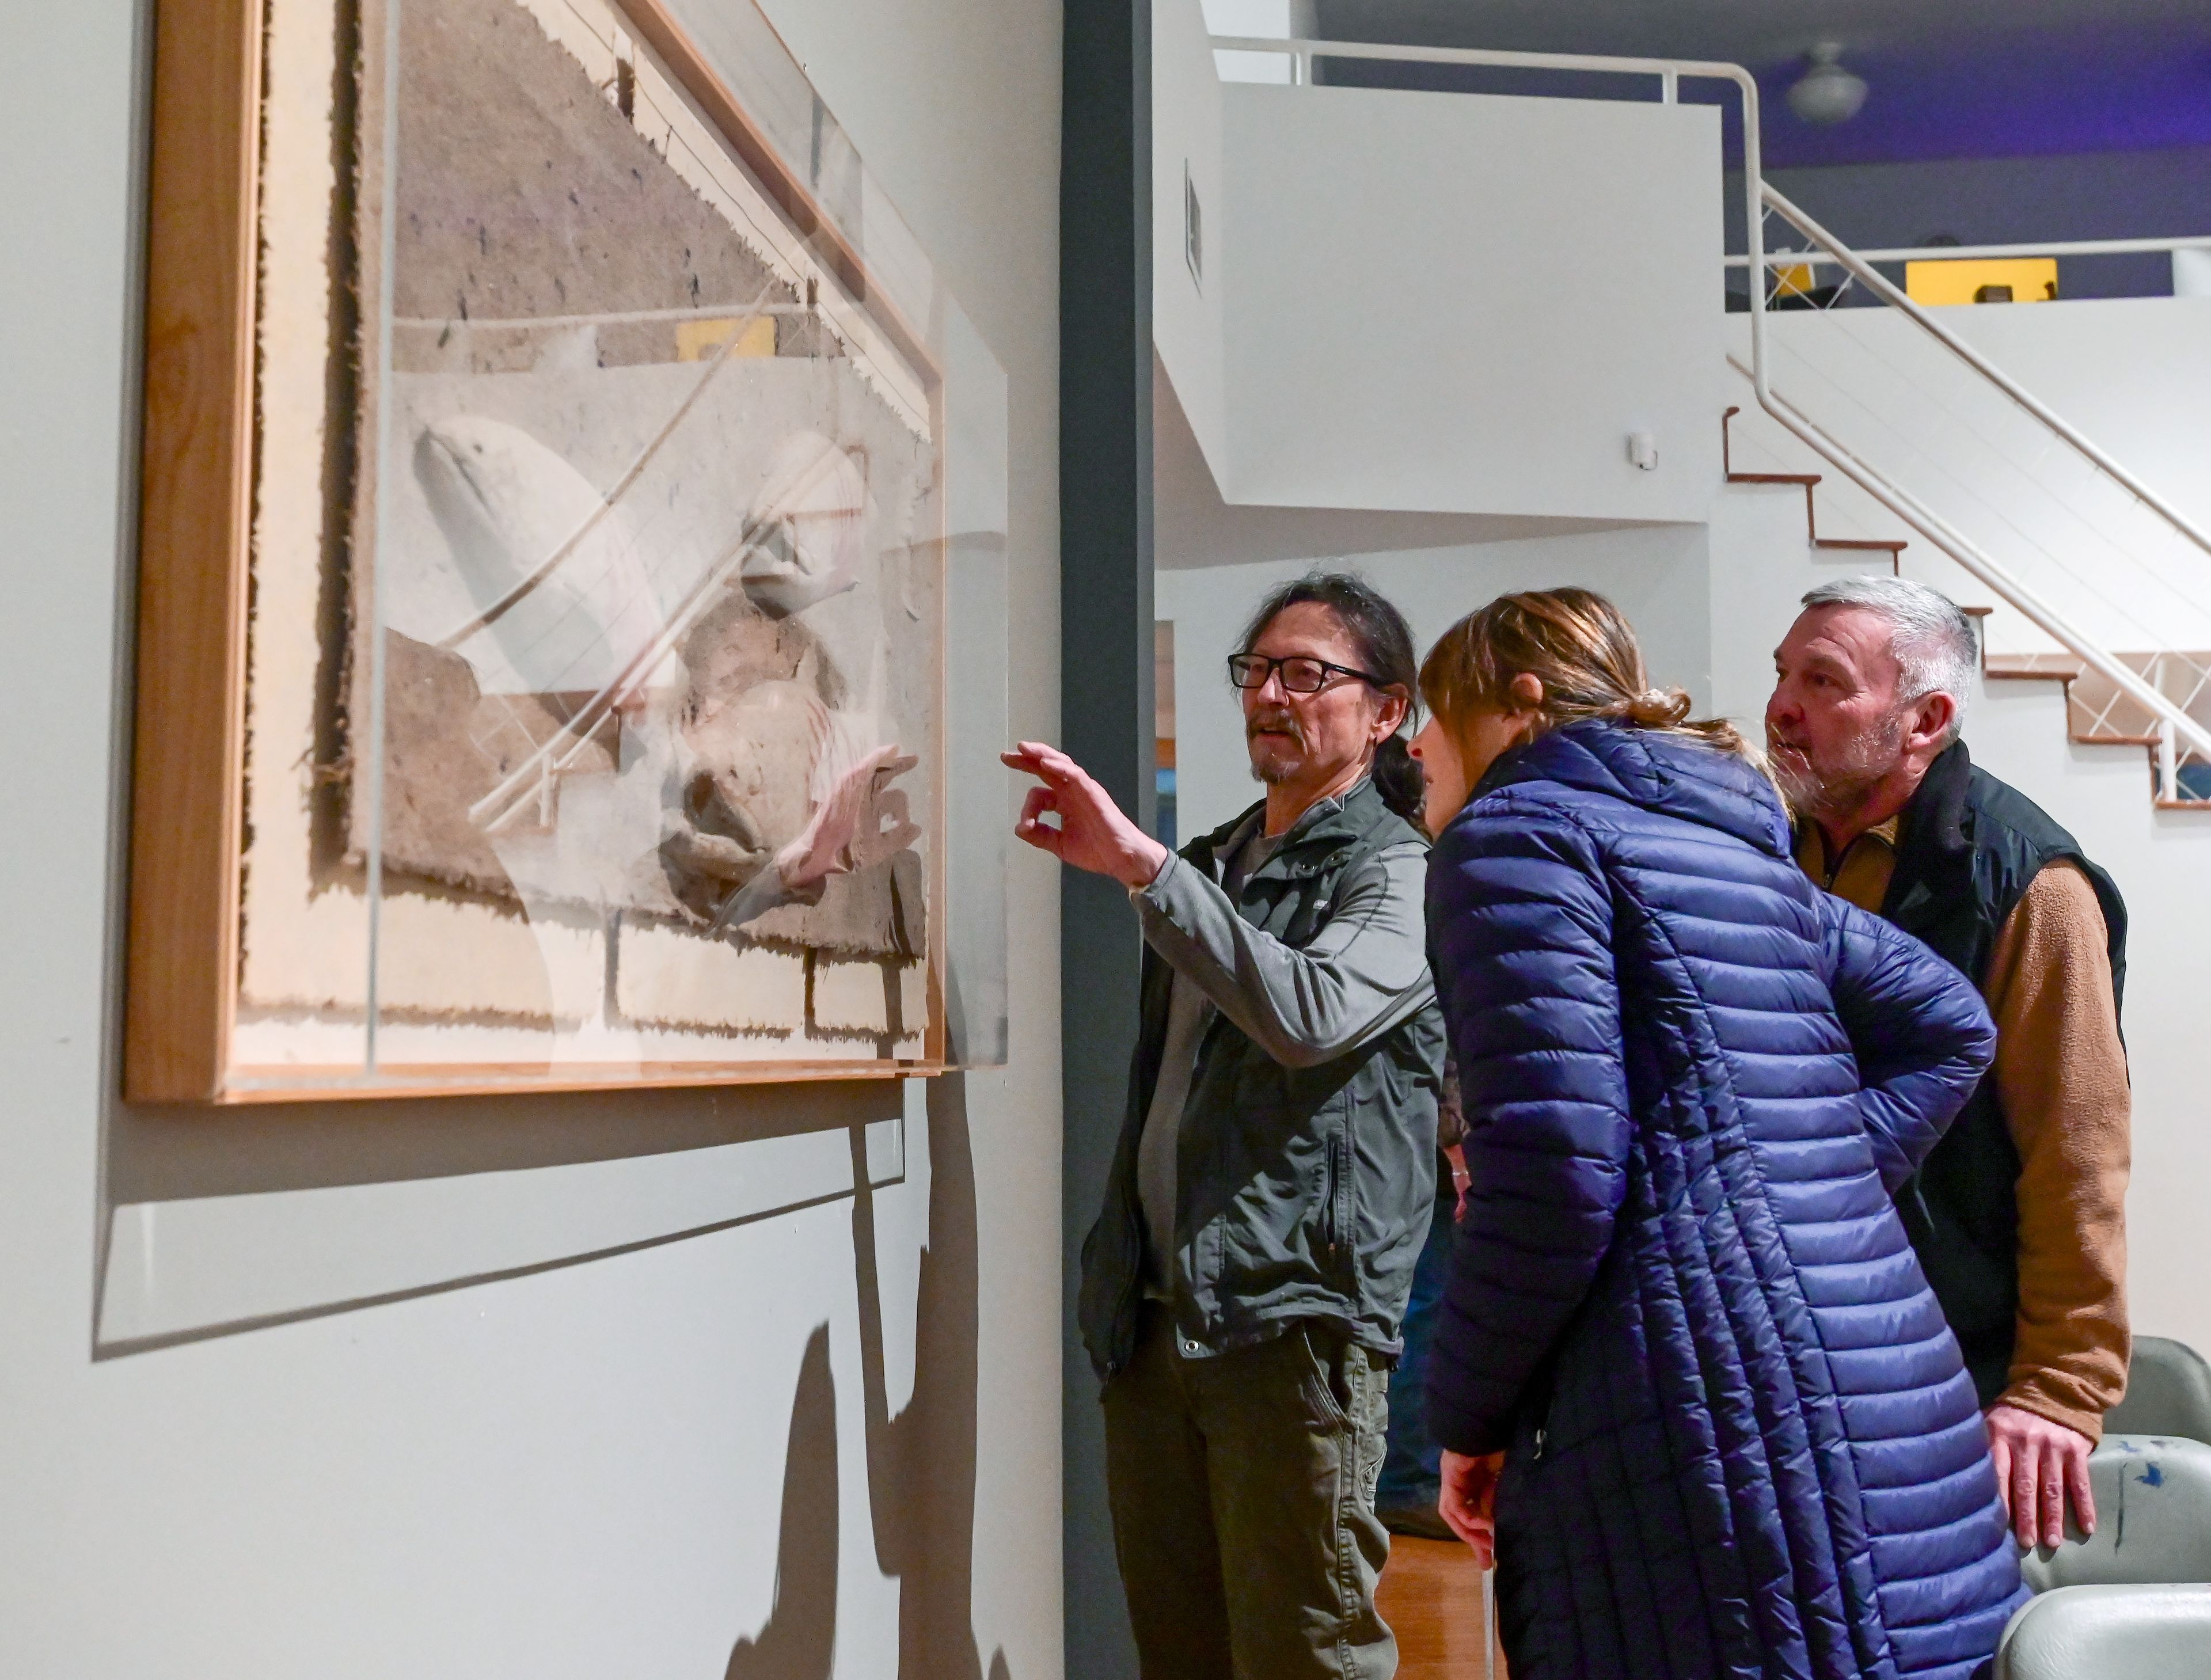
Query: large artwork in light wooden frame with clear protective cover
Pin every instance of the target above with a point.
(567, 496)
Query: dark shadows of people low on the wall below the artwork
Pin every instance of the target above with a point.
(921, 1464)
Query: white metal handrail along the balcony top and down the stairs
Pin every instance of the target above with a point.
(1759, 196)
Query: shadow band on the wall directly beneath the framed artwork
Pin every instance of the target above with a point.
(227, 1221)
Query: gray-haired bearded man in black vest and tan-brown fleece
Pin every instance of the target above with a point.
(2020, 1212)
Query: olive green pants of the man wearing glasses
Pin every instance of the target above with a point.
(1244, 1506)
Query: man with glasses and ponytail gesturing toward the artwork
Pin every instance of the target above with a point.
(1246, 1283)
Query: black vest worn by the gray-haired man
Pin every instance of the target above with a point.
(1967, 852)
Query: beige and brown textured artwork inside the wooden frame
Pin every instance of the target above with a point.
(596, 569)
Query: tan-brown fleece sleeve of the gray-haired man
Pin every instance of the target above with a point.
(2062, 1075)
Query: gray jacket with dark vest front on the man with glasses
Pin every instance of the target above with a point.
(1306, 1157)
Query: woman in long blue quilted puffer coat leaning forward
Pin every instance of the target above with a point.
(1690, 1380)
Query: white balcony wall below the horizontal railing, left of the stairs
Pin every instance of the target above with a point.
(1436, 302)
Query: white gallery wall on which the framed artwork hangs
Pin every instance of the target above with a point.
(753, 1383)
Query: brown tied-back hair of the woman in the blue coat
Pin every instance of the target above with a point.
(1584, 653)
